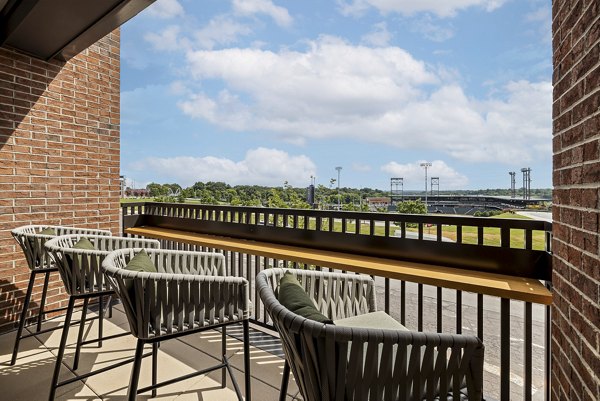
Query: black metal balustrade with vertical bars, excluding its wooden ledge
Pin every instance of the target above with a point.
(511, 247)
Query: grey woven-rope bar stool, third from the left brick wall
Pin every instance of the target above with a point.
(169, 294)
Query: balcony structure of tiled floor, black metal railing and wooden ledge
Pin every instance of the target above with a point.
(481, 276)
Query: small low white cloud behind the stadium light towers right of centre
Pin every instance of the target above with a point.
(414, 175)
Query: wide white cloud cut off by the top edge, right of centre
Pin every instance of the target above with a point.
(441, 8)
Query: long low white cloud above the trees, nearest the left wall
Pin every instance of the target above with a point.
(261, 166)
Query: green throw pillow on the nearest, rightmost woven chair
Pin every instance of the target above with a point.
(293, 297)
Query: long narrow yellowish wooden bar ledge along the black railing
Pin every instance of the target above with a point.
(517, 288)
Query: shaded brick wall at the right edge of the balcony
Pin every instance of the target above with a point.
(576, 278)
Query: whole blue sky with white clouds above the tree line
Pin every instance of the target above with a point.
(260, 92)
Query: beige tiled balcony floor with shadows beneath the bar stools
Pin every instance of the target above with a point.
(29, 379)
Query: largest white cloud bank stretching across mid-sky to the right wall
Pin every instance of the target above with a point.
(382, 95)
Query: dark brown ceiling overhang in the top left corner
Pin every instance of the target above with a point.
(60, 29)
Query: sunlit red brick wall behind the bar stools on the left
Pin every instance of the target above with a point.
(59, 154)
